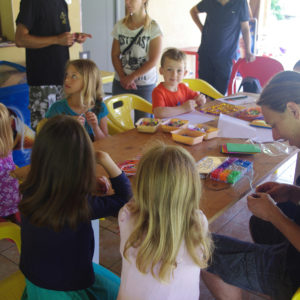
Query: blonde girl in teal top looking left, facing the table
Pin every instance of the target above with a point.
(83, 88)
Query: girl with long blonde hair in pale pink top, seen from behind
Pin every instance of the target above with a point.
(164, 236)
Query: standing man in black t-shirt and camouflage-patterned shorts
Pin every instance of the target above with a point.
(43, 28)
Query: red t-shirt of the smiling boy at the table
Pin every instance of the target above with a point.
(162, 97)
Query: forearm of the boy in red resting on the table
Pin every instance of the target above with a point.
(166, 111)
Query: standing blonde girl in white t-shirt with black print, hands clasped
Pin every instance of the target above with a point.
(135, 52)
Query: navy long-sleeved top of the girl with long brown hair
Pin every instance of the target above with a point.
(62, 260)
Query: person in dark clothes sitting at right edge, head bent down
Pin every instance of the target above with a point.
(272, 264)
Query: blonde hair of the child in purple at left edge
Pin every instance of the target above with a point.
(6, 134)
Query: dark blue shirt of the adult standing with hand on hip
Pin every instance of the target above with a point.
(221, 31)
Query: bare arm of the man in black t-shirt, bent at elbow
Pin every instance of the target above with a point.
(24, 39)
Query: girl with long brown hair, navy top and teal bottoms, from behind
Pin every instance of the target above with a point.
(56, 213)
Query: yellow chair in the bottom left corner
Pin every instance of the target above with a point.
(13, 286)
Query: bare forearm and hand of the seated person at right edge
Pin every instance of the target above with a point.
(263, 206)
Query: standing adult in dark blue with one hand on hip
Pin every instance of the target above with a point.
(225, 20)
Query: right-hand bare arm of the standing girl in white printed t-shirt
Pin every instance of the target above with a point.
(154, 54)
